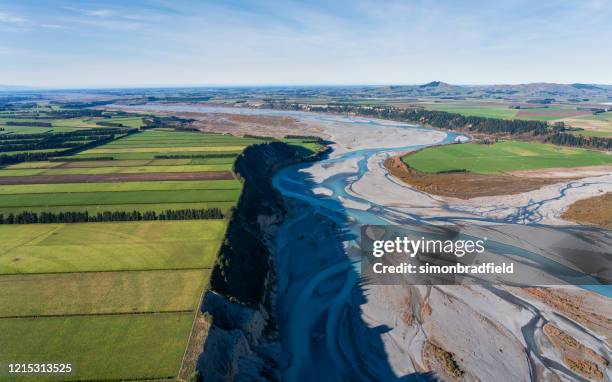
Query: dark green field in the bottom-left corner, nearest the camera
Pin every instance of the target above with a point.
(110, 347)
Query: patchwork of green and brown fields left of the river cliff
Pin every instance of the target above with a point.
(116, 291)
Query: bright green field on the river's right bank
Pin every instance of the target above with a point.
(502, 157)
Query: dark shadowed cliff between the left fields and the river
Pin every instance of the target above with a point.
(241, 343)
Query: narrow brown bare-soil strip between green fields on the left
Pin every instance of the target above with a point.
(100, 178)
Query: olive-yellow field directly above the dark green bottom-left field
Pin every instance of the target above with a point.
(101, 292)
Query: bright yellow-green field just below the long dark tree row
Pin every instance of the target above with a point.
(87, 247)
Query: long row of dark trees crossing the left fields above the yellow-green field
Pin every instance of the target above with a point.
(28, 217)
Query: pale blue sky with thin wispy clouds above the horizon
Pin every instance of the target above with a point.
(162, 42)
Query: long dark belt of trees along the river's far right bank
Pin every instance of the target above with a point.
(556, 134)
